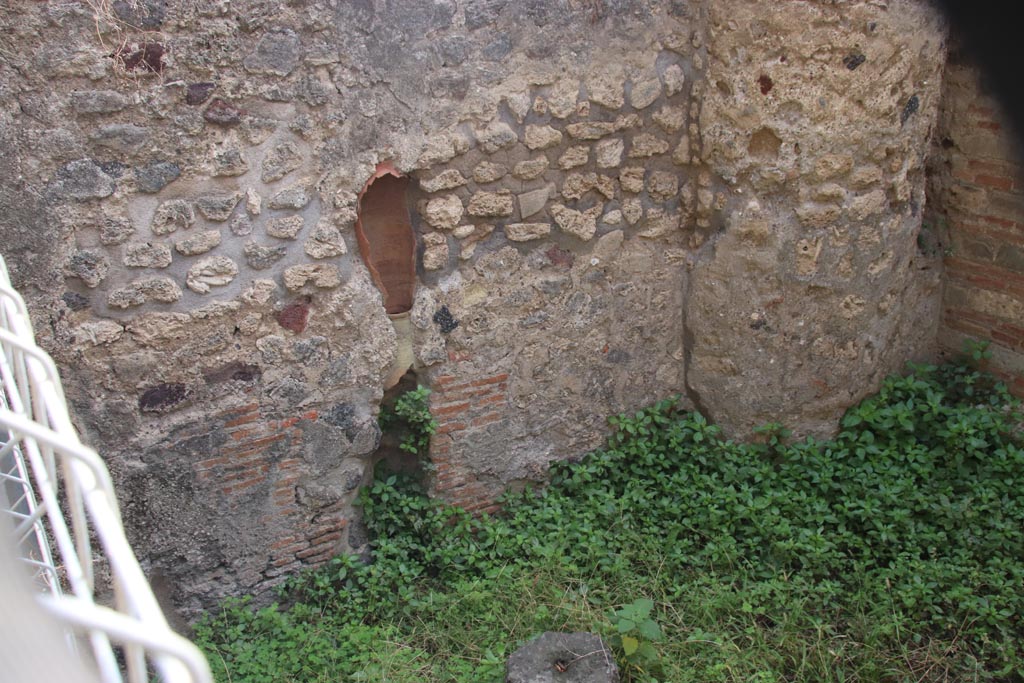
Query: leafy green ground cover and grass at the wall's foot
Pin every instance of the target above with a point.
(894, 552)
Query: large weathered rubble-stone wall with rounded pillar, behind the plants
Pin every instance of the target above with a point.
(614, 202)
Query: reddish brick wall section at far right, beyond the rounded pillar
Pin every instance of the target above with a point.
(976, 199)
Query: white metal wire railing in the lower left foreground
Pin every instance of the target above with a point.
(61, 499)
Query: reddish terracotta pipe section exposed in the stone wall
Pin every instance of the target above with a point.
(387, 240)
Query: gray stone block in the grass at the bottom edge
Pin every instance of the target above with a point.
(567, 658)
